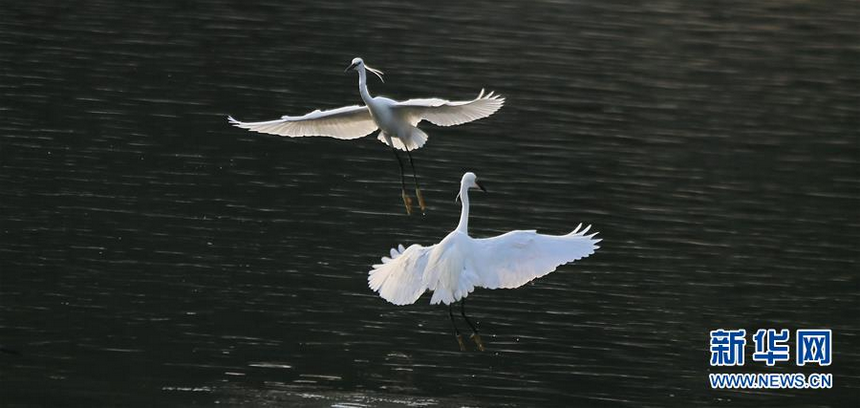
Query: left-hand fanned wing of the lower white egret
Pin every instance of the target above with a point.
(400, 279)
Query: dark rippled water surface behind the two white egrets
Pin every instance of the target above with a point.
(153, 255)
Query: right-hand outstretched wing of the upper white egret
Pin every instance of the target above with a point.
(448, 113)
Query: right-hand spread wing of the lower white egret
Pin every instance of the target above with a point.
(517, 257)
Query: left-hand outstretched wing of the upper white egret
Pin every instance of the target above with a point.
(342, 123)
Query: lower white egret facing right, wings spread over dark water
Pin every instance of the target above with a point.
(459, 263)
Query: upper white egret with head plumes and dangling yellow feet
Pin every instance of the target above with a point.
(396, 120)
